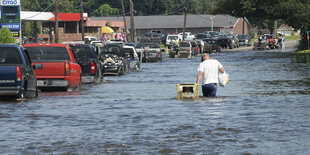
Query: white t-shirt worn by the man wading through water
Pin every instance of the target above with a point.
(210, 69)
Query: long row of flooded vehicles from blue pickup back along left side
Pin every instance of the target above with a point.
(28, 69)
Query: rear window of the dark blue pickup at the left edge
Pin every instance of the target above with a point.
(10, 55)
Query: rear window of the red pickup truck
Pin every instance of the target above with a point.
(48, 53)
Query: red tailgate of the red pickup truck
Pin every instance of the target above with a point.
(50, 69)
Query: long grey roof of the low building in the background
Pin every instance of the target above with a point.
(175, 21)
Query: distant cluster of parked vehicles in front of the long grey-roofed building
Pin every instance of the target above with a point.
(209, 42)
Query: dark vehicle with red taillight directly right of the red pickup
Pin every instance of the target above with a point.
(86, 57)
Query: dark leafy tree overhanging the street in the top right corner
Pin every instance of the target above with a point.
(293, 12)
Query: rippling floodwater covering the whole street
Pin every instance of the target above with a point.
(265, 109)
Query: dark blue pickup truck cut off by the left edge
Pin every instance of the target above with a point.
(17, 77)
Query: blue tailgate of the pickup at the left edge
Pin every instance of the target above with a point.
(8, 76)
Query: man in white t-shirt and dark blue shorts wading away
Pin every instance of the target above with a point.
(209, 69)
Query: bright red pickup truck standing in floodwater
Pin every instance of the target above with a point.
(60, 69)
